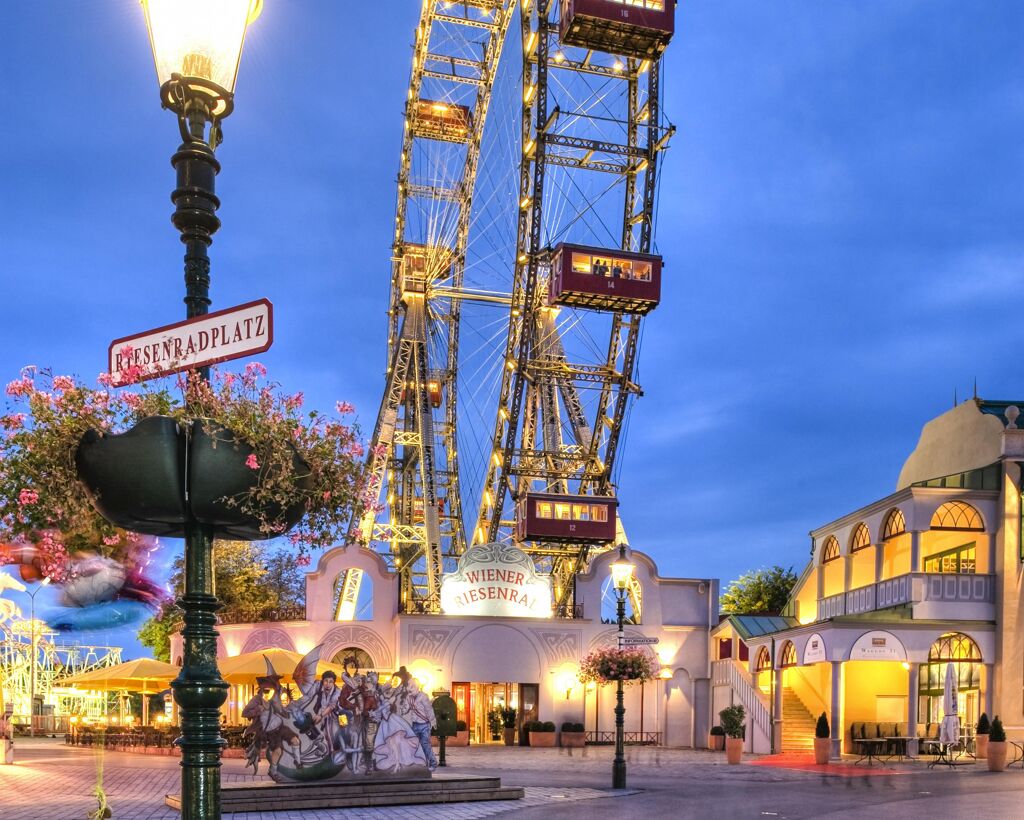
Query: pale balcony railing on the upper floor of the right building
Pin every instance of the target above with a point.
(914, 588)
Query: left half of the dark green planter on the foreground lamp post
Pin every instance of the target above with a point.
(137, 480)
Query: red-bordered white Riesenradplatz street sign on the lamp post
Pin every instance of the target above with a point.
(222, 336)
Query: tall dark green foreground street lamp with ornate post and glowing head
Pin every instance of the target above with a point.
(197, 47)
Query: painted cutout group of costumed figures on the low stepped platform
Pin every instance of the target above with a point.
(352, 727)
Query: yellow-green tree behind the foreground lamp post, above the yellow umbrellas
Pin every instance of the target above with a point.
(250, 583)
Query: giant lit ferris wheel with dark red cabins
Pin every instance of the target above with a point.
(523, 266)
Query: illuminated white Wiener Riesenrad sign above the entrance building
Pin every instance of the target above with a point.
(499, 581)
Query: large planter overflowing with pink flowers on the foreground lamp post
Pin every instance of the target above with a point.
(89, 464)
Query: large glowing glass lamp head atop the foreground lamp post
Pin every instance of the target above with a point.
(200, 40)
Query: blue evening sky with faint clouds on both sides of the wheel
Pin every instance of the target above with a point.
(841, 213)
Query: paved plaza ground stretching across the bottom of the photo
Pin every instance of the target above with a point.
(55, 783)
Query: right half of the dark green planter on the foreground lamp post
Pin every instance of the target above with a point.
(218, 473)
